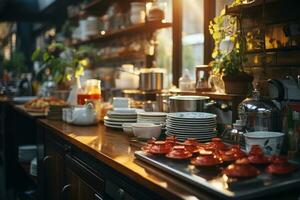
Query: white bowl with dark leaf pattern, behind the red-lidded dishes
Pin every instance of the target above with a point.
(270, 142)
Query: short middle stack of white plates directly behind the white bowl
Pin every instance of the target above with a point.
(152, 117)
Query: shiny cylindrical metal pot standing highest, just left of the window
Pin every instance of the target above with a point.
(151, 79)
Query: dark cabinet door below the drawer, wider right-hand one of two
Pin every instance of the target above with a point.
(82, 183)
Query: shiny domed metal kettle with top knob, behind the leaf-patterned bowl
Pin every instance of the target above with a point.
(258, 114)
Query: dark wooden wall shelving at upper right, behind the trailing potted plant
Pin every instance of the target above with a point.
(273, 19)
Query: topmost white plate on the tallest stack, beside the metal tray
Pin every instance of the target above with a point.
(191, 115)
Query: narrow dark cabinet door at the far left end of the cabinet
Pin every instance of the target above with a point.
(53, 164)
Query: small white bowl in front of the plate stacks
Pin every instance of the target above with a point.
(146, 130)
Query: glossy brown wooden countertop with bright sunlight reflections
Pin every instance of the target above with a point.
(113, 148)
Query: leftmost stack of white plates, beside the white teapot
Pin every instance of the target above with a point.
(115, 119)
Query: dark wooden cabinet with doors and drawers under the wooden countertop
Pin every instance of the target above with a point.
(66, 172)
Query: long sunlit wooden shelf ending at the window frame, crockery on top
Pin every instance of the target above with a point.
(145, 27)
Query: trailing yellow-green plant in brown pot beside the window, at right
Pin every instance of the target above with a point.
(229, 52)
